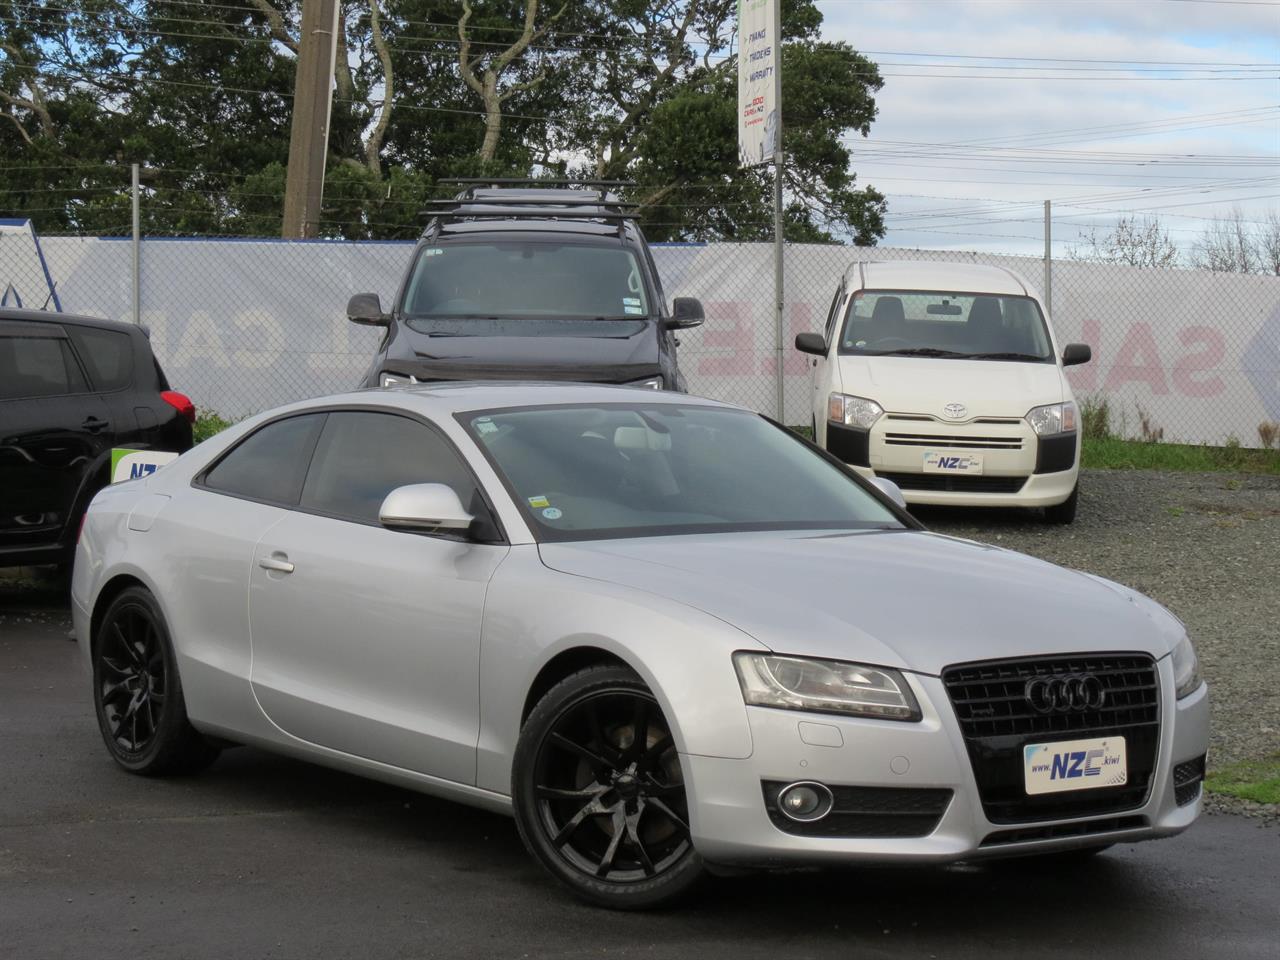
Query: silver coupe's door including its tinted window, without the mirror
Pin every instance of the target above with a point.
(367, 641)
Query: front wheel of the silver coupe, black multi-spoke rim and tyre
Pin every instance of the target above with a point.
(600, 796)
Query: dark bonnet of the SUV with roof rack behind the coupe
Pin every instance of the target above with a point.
(604, 353)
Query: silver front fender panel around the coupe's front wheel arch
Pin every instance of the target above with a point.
(534, 614)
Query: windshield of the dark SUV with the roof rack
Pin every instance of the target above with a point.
(525, 278)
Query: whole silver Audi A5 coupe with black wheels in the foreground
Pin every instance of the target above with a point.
(662, 633)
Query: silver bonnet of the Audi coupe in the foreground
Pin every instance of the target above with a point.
(906, 600)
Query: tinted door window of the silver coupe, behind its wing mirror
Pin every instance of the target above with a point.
(363, 458)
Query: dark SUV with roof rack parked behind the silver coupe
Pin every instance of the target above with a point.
(519, 282)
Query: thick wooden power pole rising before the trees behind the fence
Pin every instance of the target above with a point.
(313, 103)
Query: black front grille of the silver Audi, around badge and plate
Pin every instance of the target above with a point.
(998, 723)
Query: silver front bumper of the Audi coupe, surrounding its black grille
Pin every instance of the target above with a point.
(732, 826)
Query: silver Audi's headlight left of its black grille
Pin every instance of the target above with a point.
(825, 687)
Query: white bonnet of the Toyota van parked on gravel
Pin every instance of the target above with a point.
(989, 388)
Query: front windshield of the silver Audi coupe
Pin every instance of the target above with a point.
(627, 470)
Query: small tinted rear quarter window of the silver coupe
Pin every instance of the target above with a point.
(271, 464)
